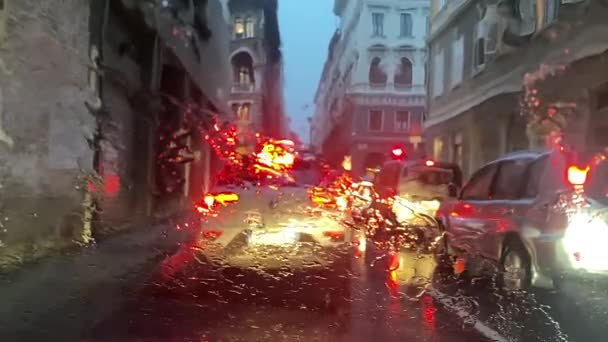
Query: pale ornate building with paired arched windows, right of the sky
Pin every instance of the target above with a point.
(371, 96)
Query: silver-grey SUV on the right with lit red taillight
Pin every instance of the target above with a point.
(537, 215)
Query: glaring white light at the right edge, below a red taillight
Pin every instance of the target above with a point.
(585, 242)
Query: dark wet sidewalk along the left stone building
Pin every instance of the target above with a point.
(68, 293)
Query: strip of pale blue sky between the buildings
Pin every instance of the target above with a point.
(306, 28)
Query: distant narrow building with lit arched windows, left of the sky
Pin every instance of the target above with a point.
(257, 68)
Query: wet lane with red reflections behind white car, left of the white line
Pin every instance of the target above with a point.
(199, 303)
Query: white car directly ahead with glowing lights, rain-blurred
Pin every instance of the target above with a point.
(270, 234)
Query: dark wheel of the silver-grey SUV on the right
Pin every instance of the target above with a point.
(516, 270)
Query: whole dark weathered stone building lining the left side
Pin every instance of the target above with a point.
(82, 100)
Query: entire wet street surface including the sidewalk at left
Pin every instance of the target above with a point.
(150, 291)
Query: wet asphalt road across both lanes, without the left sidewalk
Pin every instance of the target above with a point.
(181, 299)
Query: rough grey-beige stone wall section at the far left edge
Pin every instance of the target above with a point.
(44, 125)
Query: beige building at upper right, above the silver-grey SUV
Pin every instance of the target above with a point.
(496, 66)
